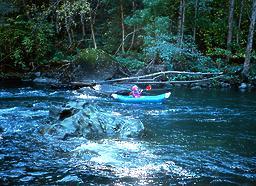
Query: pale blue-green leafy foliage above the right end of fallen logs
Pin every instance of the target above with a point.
(158, 42)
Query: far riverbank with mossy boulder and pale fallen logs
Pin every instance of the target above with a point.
(92, 66)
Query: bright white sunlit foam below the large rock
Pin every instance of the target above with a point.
(129, 159)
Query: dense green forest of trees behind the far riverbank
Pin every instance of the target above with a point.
(185, 35)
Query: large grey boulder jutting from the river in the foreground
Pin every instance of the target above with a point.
(92, 122)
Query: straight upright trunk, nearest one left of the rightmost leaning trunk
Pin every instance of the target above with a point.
(230, 24)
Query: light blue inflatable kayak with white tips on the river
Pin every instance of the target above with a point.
(142, 99)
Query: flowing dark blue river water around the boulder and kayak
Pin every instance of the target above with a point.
(197, 137)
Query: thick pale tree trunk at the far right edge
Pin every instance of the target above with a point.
(245, 71)
